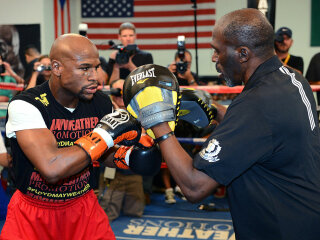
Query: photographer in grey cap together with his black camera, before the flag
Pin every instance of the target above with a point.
(128, 56)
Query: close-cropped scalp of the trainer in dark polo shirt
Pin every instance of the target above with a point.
(247, 27)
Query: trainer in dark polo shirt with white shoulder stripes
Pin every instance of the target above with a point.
(266, 149)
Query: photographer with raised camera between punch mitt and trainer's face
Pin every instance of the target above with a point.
(182, 69)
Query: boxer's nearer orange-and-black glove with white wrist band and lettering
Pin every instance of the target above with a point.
(114, 128)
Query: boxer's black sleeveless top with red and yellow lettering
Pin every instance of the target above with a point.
(67, 127)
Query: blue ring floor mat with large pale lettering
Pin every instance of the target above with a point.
(182, 220)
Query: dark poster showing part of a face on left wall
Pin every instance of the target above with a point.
(14, 39)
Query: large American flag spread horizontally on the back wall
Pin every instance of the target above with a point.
(158, 22)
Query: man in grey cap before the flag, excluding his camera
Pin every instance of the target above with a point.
(127, 36)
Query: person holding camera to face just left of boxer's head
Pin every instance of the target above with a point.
(41, 71)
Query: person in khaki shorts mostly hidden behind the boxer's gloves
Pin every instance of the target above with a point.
(125, 191)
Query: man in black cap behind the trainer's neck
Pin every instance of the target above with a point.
(283, 42)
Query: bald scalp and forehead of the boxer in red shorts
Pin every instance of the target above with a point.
(72, 46)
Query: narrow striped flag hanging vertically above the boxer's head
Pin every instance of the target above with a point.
(62, 20)
